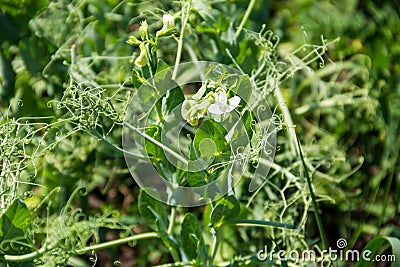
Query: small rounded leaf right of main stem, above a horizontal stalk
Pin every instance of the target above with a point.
(227, 208)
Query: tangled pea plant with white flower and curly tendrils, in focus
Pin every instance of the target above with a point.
(190, 103)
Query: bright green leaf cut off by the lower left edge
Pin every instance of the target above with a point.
(14, 226)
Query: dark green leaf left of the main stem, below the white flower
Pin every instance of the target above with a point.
(152, 210)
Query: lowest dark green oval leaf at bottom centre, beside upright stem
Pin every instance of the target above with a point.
(192, 239)
